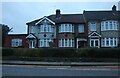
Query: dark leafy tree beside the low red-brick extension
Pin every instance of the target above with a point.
(5, 31)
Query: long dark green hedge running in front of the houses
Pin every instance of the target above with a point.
(63, 52)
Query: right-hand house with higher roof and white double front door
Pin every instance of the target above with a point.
(103, 28)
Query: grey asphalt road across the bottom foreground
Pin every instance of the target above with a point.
(32, 70)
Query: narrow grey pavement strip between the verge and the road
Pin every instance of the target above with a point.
(61, 63)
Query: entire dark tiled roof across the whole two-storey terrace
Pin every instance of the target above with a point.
(81, 18)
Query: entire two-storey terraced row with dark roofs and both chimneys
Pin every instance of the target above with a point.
(90, 29)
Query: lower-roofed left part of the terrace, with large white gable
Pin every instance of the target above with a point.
(64, 30)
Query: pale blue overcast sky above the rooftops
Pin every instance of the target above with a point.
(17, 14)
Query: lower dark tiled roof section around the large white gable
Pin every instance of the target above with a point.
(65, 18)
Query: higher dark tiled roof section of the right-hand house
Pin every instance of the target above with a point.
(101, 15)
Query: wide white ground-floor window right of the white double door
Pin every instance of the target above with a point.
(109, 42)
